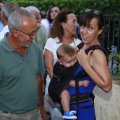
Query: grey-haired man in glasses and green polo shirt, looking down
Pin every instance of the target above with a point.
(21, 68)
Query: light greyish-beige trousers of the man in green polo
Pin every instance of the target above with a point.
(30, 115)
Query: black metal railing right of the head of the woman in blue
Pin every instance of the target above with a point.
(112, 32)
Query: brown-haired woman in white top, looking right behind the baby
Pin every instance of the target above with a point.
(63, 31)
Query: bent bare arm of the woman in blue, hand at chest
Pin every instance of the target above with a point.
(95, 64)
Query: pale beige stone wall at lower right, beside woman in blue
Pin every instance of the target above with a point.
(107, 105)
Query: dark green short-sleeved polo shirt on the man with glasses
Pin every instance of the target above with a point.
(18, 77)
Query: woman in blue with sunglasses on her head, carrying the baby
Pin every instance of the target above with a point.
(94, 63)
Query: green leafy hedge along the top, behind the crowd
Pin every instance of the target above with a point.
(77, 6)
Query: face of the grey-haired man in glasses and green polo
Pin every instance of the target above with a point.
(27, 34)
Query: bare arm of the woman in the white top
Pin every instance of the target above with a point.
(49, 62)
